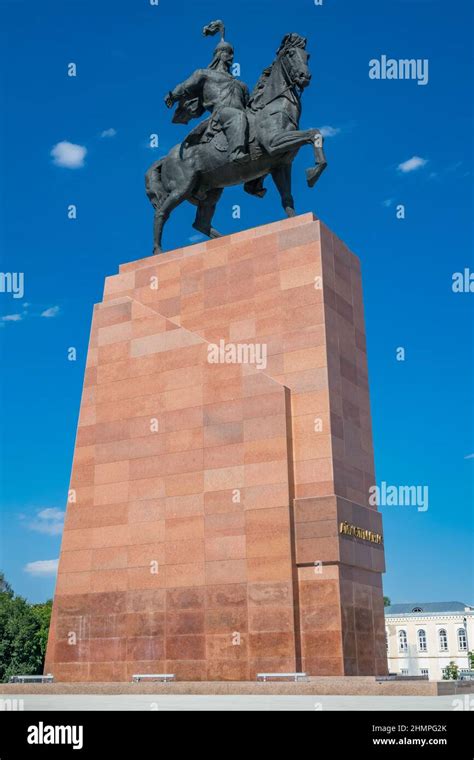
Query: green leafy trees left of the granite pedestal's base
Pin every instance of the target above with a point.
(23, 633)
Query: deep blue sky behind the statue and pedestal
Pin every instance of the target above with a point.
(128, 54)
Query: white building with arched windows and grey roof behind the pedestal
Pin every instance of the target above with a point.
(423, 638)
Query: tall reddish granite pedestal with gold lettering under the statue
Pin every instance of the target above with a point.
(203, 530)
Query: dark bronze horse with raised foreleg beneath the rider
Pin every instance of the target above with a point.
(198, 171)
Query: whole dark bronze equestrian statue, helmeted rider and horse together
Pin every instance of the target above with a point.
(244, 139)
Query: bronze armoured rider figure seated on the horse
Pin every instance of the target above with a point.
(214, 89)
